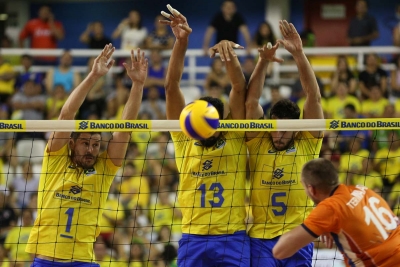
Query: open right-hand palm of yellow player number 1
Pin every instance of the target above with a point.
(137, 71)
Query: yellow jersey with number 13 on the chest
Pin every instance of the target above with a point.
(212, 186)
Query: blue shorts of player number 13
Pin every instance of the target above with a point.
(218, 250)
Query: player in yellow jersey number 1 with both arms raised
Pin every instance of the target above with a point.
(76, 178)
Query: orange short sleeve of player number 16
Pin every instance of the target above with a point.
(323, 219)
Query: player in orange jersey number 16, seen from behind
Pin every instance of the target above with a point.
(361, 223)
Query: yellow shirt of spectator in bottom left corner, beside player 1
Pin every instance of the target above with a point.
(16, 242)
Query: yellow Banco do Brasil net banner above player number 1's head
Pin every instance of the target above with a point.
(114, 125)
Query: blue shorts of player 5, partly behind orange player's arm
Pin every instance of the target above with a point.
(261, 254)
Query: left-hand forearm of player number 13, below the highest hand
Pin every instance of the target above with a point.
(176, 64)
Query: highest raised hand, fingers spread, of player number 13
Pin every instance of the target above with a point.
(178, 23)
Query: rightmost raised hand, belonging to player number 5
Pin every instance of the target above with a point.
(291, 39)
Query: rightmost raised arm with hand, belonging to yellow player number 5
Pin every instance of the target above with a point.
(292, 43)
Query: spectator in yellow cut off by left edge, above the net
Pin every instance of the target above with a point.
(7, 80)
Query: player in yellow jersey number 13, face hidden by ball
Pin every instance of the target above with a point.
(211, 190)
